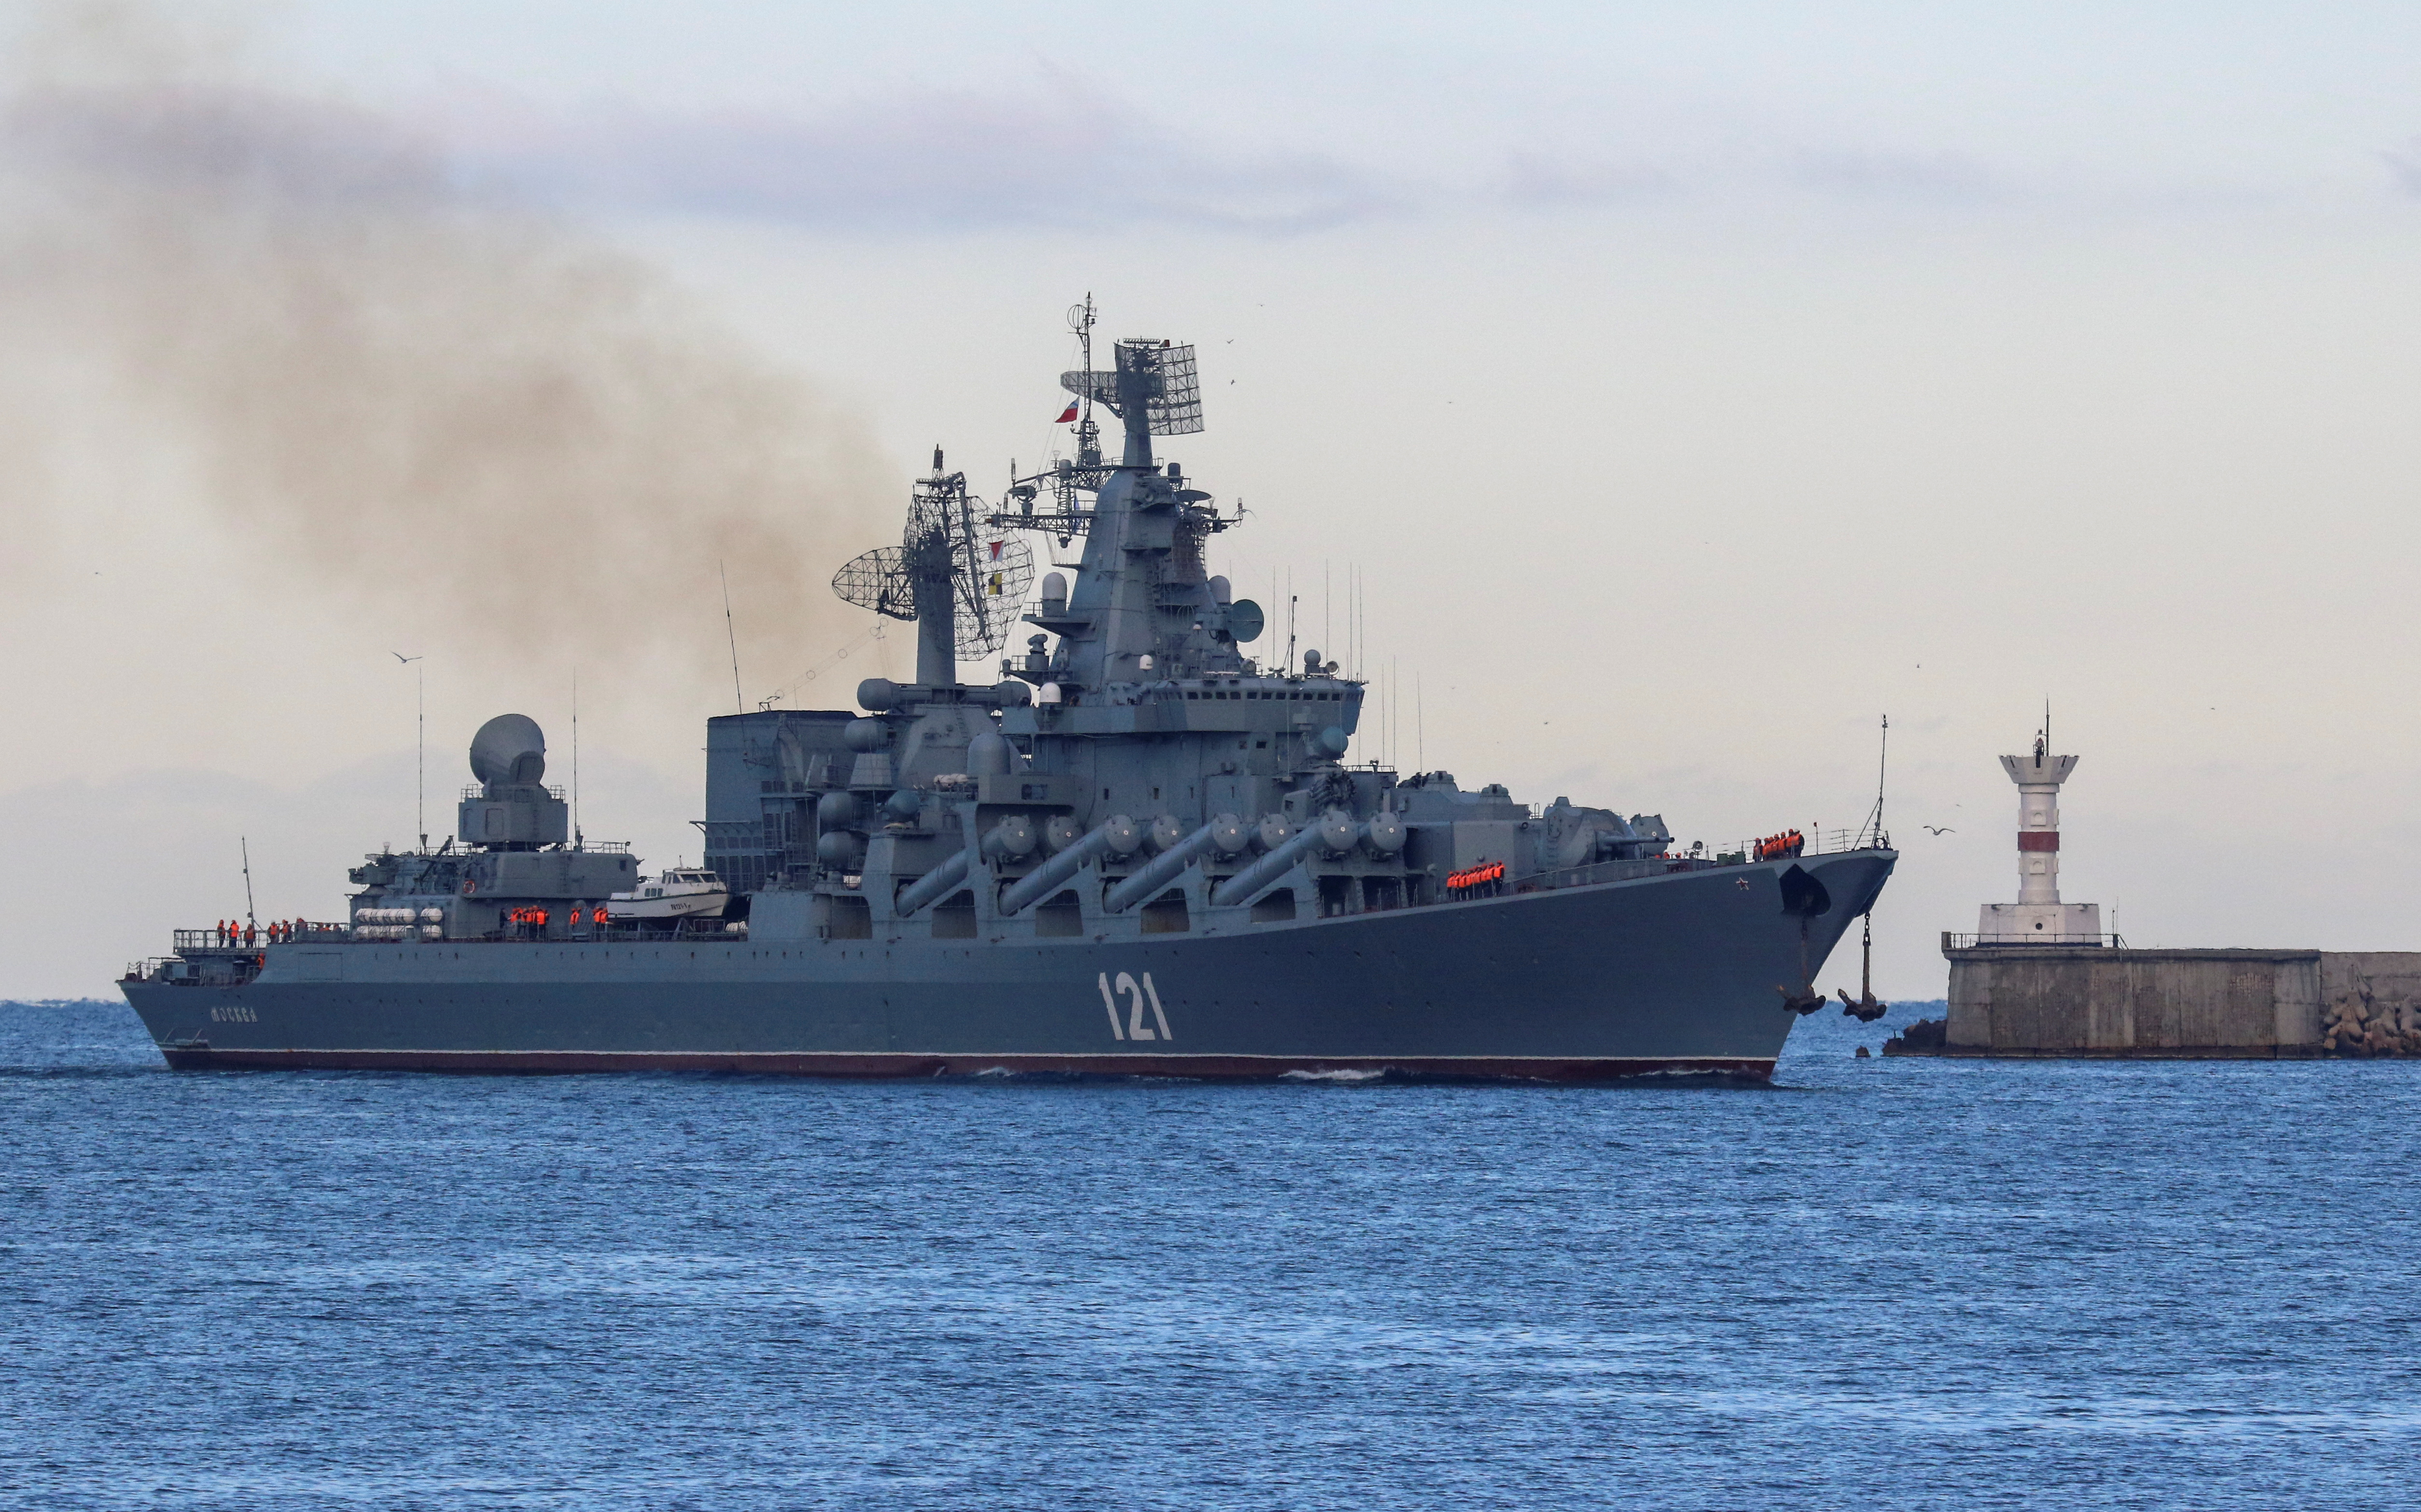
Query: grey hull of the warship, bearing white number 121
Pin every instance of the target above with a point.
(1672, 974)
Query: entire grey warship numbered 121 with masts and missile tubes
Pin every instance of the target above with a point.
(1139, 853)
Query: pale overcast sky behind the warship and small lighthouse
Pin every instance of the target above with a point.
(1689, 386)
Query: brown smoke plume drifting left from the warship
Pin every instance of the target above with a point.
(449, 412)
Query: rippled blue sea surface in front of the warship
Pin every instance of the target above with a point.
(1894, 1283)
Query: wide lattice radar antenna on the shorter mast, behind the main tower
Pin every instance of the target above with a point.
(948, 555)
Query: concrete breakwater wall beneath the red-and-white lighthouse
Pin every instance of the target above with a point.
(2117, 1003)
